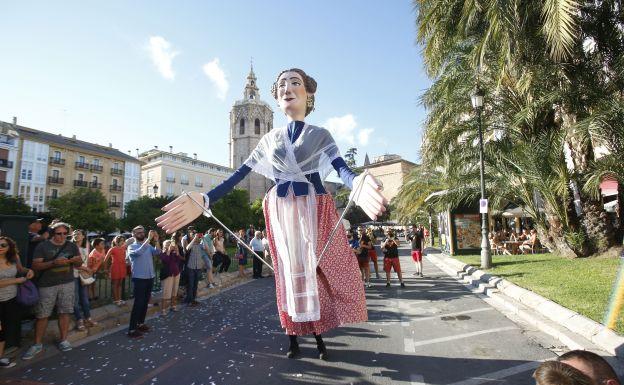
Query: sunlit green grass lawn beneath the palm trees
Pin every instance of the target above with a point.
(583, 285)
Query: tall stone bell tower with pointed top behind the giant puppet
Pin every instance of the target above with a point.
(250, 119)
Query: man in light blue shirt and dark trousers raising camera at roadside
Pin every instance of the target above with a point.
(141, 255)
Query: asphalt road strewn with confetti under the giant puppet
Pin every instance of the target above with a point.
(435, 331)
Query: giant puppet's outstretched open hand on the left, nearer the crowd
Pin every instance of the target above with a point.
(181, 211)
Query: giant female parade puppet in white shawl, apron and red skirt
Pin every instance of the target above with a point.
(317, 280)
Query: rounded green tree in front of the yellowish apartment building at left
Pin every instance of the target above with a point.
(85, 209)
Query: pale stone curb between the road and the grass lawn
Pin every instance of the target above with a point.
(498, 288)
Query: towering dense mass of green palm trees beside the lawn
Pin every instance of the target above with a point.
(554, 79)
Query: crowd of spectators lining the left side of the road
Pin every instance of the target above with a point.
(63, 266)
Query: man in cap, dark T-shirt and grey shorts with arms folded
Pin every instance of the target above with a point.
(54, 260)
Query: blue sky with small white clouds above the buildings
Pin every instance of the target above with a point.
(144, 73)
